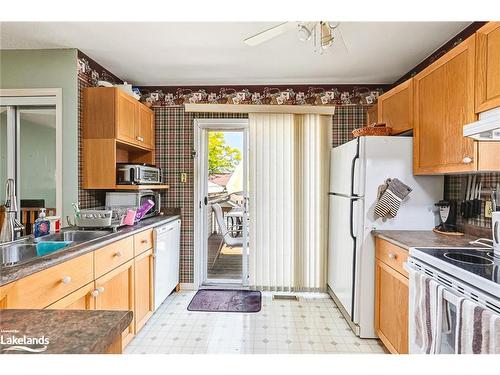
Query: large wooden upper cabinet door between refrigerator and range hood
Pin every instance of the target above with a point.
(444, 103)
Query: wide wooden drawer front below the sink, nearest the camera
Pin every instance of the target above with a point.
(45, 287)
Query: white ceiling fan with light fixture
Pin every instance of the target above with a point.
(323, 34)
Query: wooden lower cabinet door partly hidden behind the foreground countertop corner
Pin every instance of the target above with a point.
(116, 292)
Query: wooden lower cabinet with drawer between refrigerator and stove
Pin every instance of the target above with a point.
(391, 301)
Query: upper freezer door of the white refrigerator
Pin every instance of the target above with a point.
(344, 170)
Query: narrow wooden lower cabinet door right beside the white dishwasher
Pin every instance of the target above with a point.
(144, 288)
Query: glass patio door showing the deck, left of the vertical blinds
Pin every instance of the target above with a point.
(223, 221)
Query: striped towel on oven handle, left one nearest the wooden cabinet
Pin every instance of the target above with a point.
(426, 313)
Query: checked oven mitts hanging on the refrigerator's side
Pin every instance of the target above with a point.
(390, 196)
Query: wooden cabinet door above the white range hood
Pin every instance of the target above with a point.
(488, 67)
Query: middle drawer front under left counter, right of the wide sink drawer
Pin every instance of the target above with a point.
(113, 255)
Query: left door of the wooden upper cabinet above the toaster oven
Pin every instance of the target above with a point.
(126, 117)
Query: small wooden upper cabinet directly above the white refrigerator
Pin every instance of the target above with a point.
(395, 107)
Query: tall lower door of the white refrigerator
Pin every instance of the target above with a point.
(341, 250)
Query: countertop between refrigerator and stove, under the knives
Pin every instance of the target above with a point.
(423, 238)
